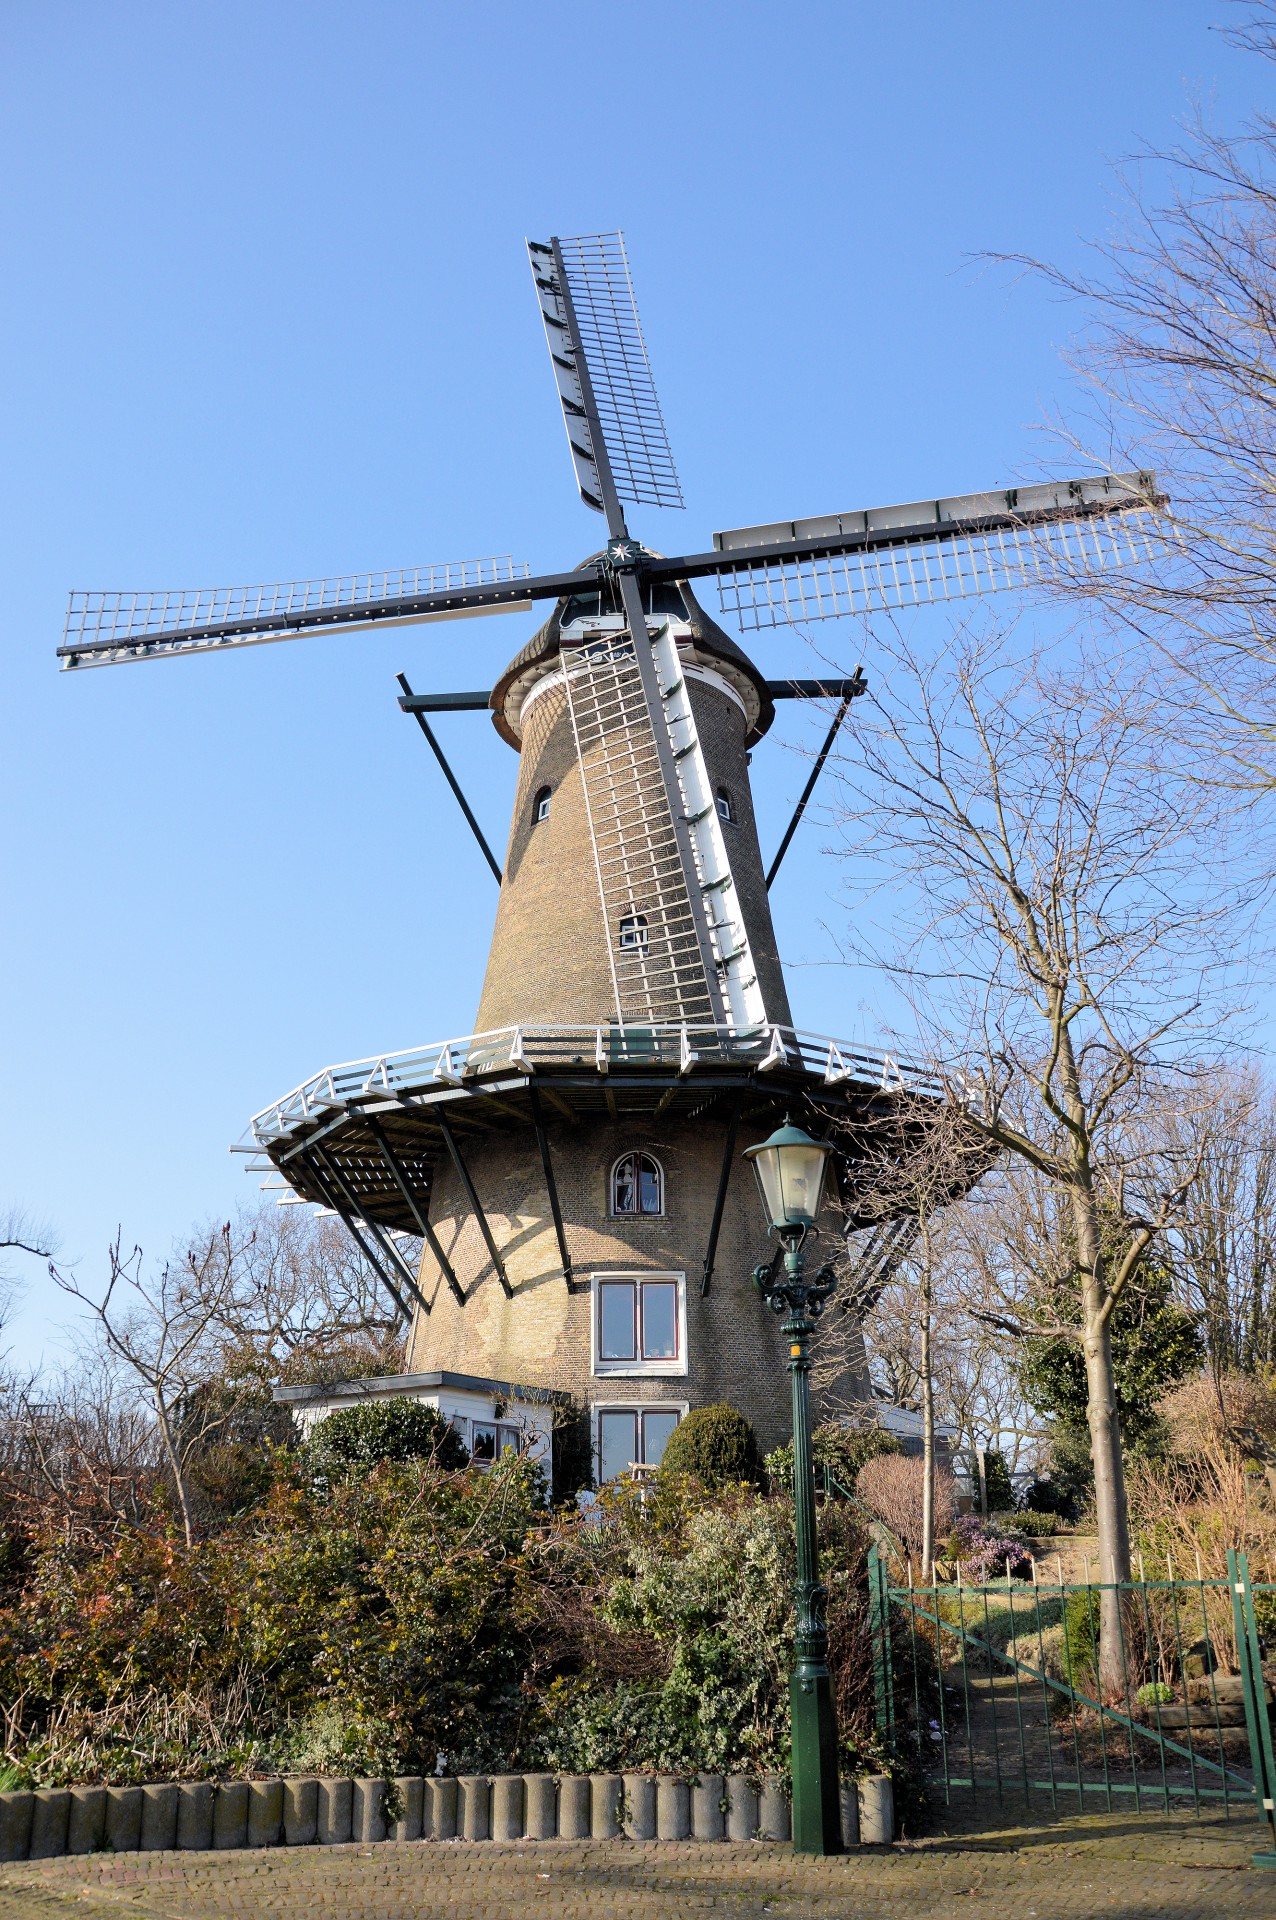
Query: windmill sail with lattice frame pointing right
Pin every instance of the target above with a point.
(922, 552)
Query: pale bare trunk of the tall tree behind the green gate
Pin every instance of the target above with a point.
(1110, 1497)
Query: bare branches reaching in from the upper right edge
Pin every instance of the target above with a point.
(1179, 366)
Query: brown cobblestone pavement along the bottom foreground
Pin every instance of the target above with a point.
(1102, 1865)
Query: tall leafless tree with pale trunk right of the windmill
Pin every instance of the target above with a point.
(1064, 917)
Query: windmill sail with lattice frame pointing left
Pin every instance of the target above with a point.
(105, 629)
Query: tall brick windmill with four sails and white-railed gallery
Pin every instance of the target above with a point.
(569, 1168)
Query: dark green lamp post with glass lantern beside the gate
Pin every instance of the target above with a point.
(792, 1172)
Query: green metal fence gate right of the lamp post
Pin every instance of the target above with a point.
(997, 1691)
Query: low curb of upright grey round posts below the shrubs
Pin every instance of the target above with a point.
(306, 1812)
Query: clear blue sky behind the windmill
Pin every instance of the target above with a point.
(268, 316)
